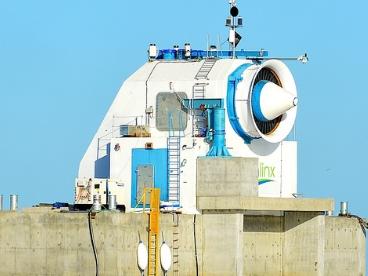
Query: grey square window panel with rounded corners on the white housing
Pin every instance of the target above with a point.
(170, 113)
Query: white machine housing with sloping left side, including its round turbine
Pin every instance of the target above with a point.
(112, 156)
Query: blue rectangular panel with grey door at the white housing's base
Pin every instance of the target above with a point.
(149, 169)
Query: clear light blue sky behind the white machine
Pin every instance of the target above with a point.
(62, 62)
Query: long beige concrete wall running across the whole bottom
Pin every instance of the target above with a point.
(44, 242)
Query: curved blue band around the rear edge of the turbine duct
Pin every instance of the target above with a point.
(233, 80)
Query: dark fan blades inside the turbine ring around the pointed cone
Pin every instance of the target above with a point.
(268, 75)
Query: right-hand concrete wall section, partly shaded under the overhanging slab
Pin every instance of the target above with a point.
(303, 243)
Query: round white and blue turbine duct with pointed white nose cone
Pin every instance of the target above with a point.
(262, 101)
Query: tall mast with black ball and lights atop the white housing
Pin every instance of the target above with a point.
(233, 22)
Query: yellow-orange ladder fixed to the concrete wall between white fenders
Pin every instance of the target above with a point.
(154, 230)
